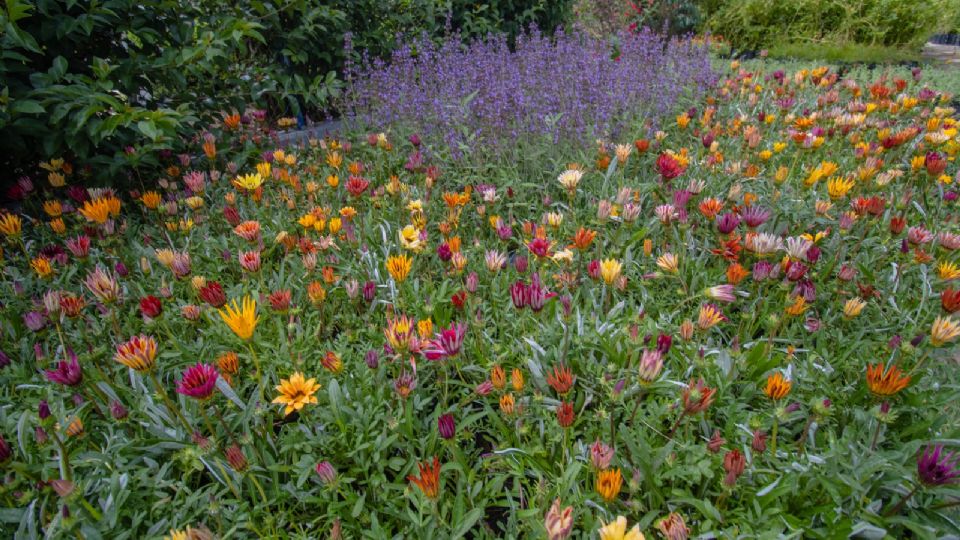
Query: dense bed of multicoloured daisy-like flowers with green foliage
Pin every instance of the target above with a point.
(743, 324)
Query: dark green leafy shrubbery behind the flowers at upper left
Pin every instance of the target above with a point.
(89, 80)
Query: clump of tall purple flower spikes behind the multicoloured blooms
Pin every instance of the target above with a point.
(487, 97)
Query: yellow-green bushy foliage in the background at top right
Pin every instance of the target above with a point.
(754, 24)
